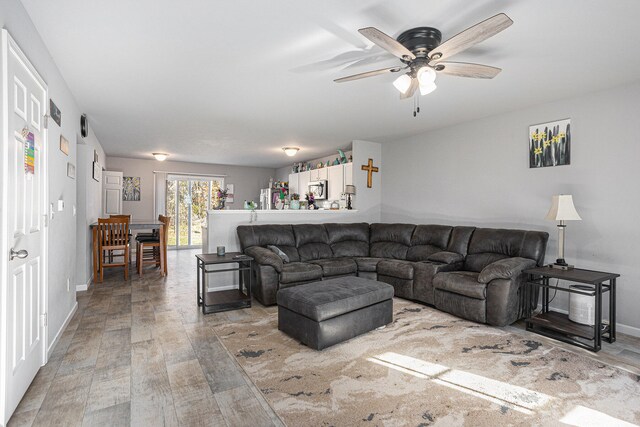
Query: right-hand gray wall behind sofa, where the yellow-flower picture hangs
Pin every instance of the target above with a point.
(478, 173)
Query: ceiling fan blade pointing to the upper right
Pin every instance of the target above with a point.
(471, 36)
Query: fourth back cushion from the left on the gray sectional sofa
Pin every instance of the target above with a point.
(390, 240)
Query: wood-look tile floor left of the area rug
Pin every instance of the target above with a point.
(141, 353)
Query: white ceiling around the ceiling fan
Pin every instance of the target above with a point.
(234, 81)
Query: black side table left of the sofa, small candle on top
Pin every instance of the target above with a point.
(231, 299)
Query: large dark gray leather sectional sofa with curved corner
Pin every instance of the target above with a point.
(473, 273)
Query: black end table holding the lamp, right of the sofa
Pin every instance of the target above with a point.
(558, 325)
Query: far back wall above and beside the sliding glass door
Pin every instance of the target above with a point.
(247, 181)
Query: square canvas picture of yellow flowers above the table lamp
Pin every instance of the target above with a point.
(550, 144)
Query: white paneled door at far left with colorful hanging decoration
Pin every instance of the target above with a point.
(23, 233)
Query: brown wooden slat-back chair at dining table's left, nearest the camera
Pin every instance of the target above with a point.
(113, 235)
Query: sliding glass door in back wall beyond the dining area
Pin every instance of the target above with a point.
(188, 200)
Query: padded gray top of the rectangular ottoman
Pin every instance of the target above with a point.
(334, 297)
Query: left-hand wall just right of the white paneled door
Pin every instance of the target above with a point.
(62, 228)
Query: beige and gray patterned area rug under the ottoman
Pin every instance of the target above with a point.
(430, 368)
